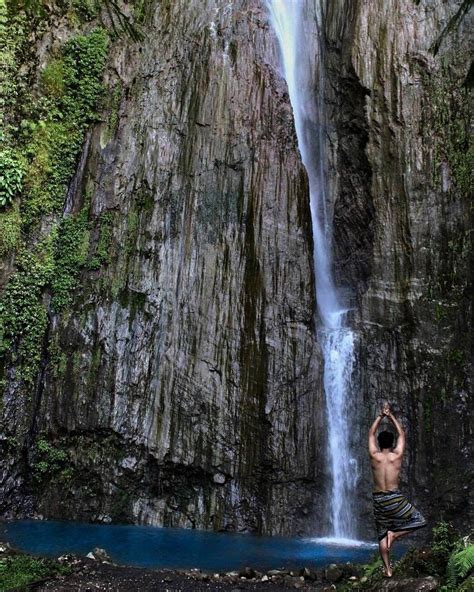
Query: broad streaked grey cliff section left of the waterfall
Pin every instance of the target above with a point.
(187, 389)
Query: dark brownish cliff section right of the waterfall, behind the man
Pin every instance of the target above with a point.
(400, 171)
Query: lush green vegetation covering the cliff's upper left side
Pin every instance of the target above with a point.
(42, 131)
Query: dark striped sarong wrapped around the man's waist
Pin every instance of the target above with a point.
(392, 511)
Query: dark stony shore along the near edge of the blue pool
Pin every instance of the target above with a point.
(97, 572)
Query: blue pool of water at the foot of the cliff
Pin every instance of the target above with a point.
(149, 546)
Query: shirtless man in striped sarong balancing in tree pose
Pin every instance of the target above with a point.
(394, 515)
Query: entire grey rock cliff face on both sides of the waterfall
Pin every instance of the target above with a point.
(181, 382)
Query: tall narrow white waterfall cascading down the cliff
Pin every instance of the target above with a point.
(297, 24)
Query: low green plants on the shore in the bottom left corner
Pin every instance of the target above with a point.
(18, 571)
